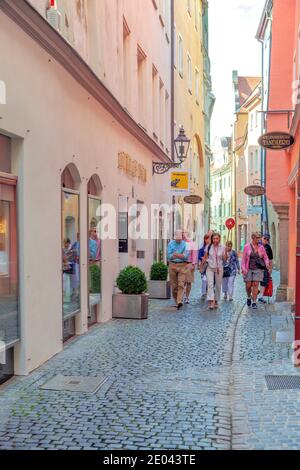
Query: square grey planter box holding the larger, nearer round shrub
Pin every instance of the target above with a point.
(133, 307)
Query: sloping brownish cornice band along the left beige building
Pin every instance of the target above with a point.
(38, 28)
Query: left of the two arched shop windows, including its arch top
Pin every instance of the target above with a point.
(70, 242)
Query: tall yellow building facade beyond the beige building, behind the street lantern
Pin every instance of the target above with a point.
(189, 105)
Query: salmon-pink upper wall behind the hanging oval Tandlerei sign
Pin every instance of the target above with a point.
(281, 76)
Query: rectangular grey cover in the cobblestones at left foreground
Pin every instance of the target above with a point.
(74, 383)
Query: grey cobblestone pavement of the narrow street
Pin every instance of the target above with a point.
(192, 379)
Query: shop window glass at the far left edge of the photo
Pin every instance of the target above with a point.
(9, 330)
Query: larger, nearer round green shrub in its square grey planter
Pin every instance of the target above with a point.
(132, 302)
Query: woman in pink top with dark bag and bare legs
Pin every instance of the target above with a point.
(254, 261)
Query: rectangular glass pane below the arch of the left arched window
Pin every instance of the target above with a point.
(70, 253)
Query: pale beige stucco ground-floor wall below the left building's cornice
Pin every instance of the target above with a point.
(53, 122)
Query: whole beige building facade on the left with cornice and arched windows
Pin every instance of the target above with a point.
(87, 111)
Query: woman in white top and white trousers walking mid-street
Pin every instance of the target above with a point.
(215, 255)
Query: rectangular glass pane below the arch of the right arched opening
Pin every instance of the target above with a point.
(94, 261)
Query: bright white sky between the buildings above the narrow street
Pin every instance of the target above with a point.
(232, 46)
